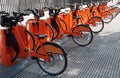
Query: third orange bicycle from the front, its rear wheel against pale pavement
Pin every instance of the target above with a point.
(95, 23)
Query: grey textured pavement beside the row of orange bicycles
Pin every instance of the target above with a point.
(100, 59)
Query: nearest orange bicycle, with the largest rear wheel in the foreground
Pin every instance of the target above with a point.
(47, 54)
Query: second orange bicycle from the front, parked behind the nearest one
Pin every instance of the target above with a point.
(80, 33)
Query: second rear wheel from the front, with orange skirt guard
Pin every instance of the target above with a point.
(84, 32)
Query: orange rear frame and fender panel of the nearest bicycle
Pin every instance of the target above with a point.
(43, 51)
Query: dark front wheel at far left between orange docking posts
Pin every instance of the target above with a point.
(12, 41)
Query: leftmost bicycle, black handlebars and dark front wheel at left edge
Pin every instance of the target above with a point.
(7, 21)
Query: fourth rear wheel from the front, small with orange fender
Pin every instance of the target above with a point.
(108, 18)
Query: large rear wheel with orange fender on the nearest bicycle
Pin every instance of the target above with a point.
(58, 62)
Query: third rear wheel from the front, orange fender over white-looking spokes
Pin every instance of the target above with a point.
(99, 24)
